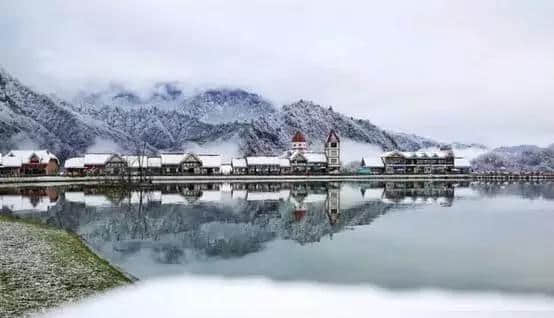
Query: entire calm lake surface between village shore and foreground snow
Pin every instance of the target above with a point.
(400, 236)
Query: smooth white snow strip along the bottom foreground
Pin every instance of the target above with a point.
(214, 297)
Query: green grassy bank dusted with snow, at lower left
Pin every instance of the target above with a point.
(44, 267)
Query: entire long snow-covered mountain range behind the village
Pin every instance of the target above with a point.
(164, 118)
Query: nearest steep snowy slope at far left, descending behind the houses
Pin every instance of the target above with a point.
(32, 120)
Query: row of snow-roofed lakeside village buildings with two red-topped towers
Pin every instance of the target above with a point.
(298, 160)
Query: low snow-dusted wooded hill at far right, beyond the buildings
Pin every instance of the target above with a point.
(517, 158)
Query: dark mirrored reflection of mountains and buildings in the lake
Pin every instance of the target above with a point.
(183, 222)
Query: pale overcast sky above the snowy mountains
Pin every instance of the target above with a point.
(470, 71)
